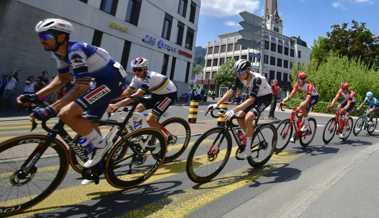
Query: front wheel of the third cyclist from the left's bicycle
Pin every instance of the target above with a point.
(209, 155)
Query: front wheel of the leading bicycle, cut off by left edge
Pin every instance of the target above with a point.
(22, 187)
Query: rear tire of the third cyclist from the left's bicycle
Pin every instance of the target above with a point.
(257, 134)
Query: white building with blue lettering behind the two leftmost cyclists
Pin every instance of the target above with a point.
(164, 31)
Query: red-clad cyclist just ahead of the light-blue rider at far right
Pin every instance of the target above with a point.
(349, 100)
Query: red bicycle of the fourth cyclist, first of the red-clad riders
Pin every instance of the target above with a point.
(286, 130)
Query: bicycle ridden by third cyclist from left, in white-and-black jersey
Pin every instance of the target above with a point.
(260, 144)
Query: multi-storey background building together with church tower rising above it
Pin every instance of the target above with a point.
(279, 52)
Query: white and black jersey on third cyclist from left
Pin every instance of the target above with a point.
(258, 85)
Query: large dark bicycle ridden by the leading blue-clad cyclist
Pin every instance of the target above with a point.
(22, 187)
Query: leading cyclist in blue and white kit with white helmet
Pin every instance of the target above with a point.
(98, 79)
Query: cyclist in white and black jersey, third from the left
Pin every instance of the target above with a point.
(259, 98)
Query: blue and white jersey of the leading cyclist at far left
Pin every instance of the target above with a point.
(84, 60)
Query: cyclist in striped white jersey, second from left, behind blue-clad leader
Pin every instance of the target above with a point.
(162, 89)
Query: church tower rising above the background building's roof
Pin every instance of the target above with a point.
(273, 21)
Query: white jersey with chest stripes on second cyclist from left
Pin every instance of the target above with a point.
(154, 83)
